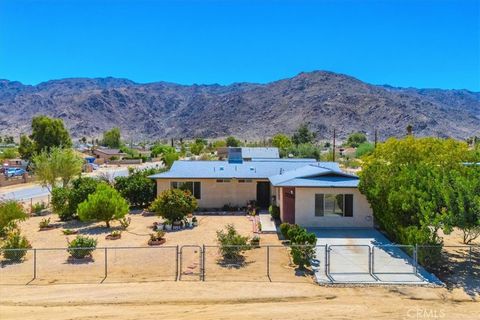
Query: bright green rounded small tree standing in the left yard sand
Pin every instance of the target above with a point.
(105, 204)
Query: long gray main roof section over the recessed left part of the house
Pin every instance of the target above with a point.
(185, 169)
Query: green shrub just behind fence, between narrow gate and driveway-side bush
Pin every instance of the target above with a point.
(232, 244)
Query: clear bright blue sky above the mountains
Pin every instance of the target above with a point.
(402, 43)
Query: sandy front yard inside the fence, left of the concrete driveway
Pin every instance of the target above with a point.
(143, 263)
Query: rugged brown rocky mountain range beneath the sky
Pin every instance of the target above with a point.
(251, 111)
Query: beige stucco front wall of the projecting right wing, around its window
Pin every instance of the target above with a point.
(305, 209)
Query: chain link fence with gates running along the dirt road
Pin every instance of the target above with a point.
(455, 265)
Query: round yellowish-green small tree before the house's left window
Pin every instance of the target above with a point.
(174, 204)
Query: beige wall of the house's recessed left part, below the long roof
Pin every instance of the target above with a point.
(215, 194)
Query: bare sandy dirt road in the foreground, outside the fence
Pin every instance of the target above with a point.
(232, 300)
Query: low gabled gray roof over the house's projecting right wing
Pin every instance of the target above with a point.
(315, 175)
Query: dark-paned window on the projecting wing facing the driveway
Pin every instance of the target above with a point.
(334, 205)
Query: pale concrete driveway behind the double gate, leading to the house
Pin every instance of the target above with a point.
(365, 256)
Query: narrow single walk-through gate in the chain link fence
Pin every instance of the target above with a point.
(191, 263)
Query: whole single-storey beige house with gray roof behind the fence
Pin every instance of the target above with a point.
(309, 193)
